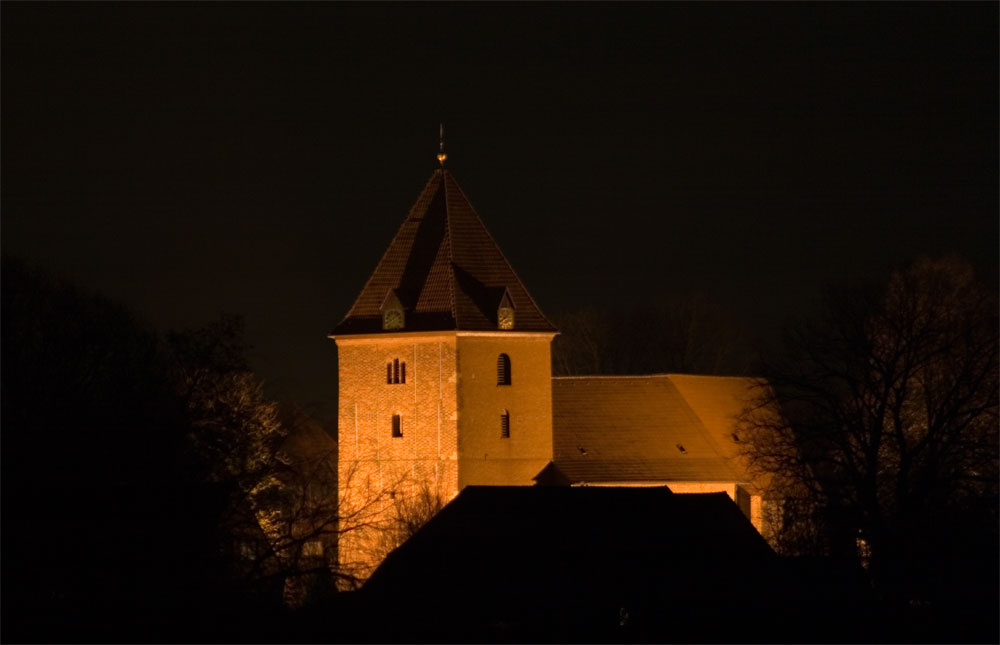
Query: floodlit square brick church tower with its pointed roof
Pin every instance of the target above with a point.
(445, 376)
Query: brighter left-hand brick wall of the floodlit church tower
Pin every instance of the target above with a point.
(377, 471)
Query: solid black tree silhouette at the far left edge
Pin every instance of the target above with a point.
(93, 494)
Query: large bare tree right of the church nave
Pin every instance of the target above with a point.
(887, 434)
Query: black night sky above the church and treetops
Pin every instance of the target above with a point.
(190, 159)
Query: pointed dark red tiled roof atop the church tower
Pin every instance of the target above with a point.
(446, 271)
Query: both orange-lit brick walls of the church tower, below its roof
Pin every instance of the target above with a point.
(450, 409)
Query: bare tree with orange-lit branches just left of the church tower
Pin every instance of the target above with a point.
(274, 471)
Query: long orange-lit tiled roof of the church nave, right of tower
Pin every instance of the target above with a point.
(632, 428)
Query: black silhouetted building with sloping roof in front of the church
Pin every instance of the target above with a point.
(581, 564)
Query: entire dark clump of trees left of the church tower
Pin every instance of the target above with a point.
(150, 490)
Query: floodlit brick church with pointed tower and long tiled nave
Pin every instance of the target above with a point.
(445, 381)
